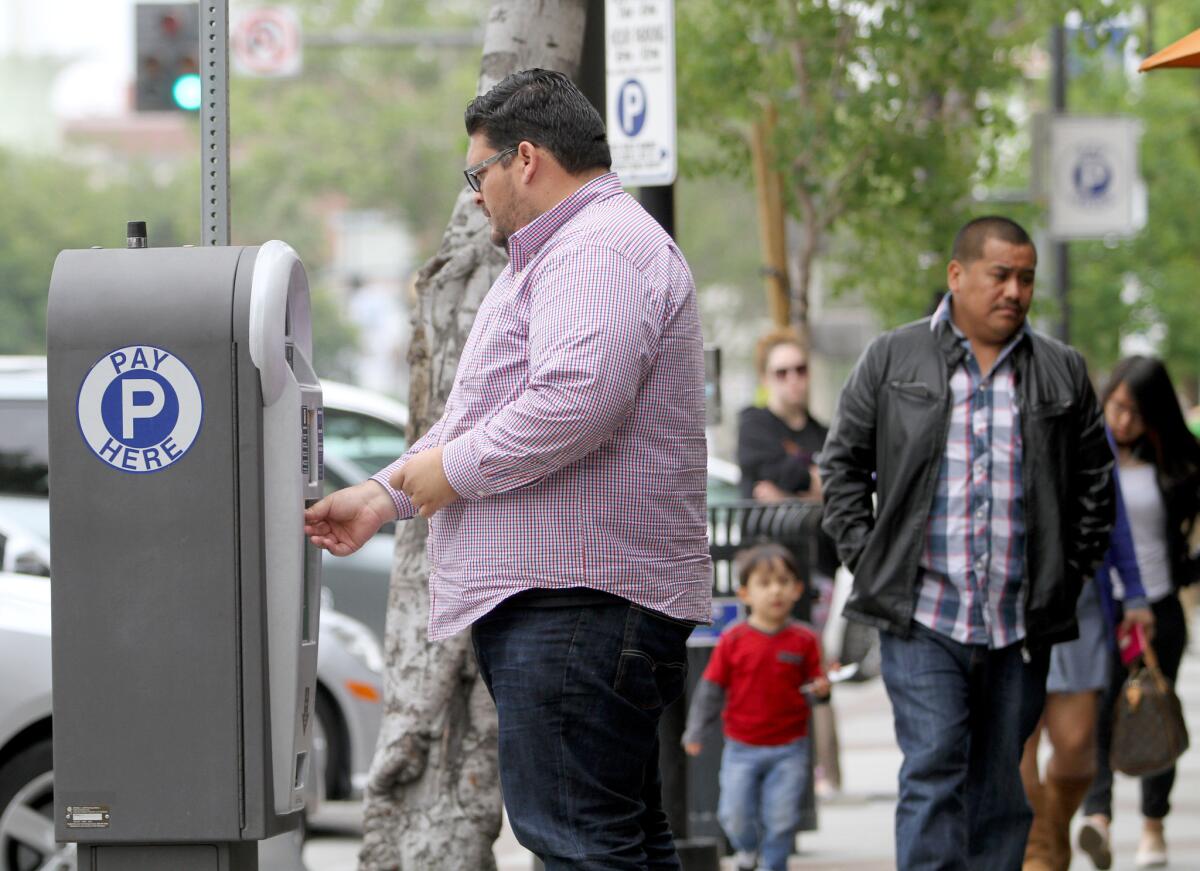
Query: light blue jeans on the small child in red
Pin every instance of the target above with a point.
(761, 794)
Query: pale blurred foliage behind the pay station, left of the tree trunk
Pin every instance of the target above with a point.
(359, 129)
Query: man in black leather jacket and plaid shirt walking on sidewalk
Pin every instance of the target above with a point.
(983, 447)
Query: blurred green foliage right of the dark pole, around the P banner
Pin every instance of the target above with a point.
(1145, 286)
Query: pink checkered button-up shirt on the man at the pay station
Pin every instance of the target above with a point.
(575, 428)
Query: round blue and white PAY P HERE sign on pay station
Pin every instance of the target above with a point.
(140, 409)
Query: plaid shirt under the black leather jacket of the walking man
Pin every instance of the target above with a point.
(971, 585)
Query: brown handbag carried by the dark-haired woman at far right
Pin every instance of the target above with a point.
(1149, 732)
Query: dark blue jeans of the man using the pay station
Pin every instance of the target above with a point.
(580, 692)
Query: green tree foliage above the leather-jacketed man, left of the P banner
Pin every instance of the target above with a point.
(891, 115)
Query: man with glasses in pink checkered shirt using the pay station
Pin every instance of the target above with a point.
(566, 483)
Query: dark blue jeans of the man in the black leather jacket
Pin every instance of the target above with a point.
(963, 714)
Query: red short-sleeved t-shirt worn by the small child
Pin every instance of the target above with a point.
(763, 676)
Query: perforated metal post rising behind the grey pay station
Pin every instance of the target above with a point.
(215, 123)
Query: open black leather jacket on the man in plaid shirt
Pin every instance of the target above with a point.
(889, 438)
